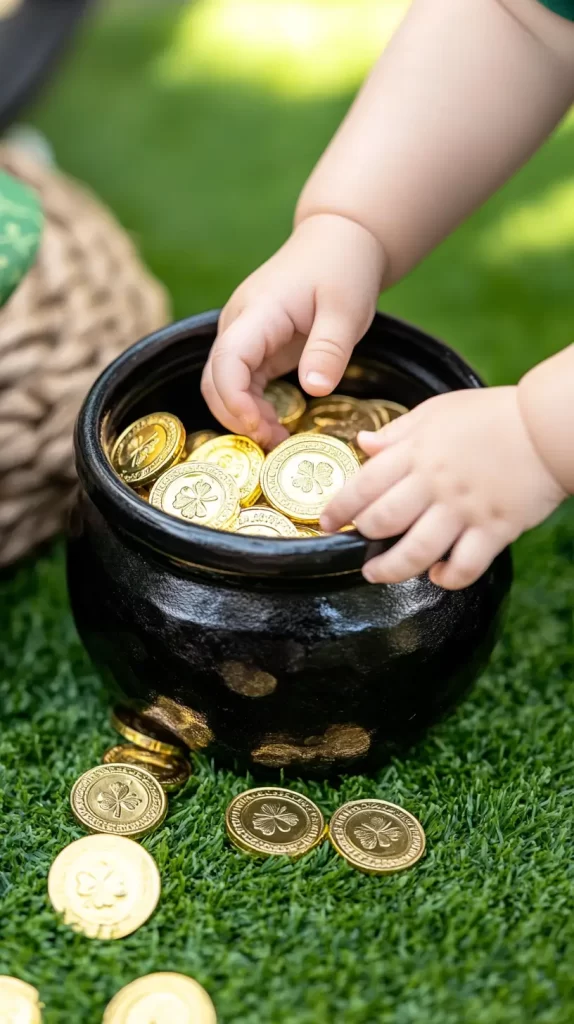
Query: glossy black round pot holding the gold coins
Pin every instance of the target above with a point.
(275, 654)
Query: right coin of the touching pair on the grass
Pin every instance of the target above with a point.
(377, 837)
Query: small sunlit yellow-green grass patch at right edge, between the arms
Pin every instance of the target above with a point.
(546, 225)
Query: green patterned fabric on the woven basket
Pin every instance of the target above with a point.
(21, 229)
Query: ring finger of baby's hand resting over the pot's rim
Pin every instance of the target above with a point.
(431, 537)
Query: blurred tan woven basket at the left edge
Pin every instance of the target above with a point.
(86, 298)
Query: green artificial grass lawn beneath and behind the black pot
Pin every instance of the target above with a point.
(481, 932)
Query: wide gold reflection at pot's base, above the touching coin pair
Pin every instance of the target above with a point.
(339, 742)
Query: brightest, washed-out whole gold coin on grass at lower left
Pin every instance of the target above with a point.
(106, 886)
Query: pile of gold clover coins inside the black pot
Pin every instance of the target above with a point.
(227, 482)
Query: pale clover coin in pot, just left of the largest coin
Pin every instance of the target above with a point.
(200, 493)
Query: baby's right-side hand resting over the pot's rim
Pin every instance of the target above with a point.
(458, 473)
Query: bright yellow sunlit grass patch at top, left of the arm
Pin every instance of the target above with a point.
(294, 48)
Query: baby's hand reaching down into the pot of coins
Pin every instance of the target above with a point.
(310, 305)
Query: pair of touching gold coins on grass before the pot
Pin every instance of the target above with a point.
(375, 836)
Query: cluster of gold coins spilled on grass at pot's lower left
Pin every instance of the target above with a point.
(106, 886)
